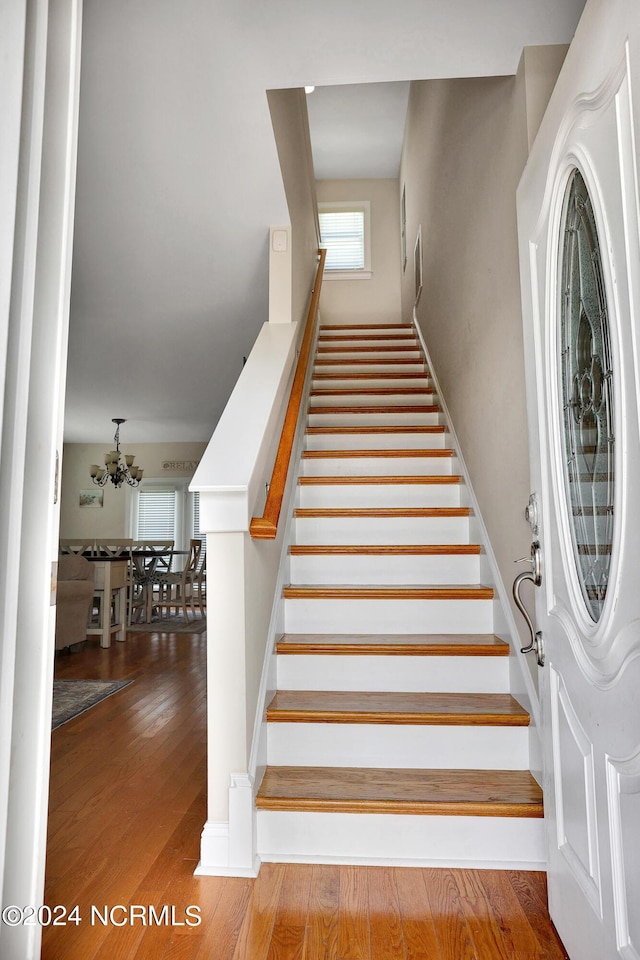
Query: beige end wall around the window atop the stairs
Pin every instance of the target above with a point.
(376, 300)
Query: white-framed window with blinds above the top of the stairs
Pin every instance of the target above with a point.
(345, 232)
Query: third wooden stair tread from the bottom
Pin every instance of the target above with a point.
(434, 645)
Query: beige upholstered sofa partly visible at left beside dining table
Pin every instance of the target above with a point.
(74, 597)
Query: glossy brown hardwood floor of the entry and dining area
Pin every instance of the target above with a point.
(126, 809)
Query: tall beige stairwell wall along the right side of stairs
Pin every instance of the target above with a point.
(466, 144)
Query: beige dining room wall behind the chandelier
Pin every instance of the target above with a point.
(110, 520)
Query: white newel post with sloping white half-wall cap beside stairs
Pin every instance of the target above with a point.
(231, 483)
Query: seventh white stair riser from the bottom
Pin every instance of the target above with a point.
(380, 495)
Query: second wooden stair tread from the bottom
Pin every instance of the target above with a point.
(424, 709)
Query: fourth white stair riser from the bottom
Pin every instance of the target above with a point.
(388, 616)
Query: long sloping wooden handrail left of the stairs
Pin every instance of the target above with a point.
(266, 526)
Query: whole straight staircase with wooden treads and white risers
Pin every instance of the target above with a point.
(392, 736)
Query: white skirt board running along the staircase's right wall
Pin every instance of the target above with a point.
(522, 687)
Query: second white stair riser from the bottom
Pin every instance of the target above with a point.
(397, 746)
